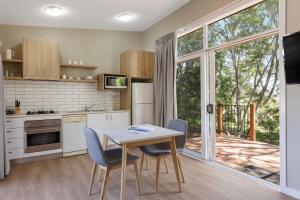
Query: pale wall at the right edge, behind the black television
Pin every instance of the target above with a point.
(293, 110)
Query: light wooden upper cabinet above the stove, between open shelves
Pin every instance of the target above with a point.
(41, 60)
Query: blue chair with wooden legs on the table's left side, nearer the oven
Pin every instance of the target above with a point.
(106, 159)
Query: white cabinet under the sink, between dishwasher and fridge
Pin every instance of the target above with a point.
(98, 121)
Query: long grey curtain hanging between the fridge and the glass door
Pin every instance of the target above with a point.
(164, 79)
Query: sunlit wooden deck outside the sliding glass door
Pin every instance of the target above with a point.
(243, 154)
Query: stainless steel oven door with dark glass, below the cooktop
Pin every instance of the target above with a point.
(42, 139)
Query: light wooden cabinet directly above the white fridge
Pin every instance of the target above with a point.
(137, 64)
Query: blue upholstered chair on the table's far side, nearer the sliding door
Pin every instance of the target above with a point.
(160, 151)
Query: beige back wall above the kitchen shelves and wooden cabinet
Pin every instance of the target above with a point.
(96, 47)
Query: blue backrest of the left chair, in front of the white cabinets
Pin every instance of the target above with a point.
(94, 146)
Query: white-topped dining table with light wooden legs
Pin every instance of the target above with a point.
(129, 139)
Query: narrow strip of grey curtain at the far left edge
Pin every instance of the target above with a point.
(2, 118)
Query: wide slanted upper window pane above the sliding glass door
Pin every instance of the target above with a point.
(256, 19)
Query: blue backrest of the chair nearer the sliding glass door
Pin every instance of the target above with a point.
(179, 125)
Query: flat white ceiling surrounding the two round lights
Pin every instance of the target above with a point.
(88, 14)
